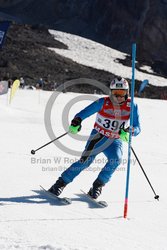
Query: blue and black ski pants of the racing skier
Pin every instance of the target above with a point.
(97, 143)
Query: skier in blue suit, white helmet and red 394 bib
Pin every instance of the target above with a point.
(110, 129)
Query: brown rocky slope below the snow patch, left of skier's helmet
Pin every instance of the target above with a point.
(26, 54)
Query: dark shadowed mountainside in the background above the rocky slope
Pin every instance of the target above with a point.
(111, 22)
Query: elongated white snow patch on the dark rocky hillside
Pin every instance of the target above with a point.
(96, 55)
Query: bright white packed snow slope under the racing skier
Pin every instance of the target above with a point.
(28, 220)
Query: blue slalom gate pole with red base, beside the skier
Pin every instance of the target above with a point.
(130, 130)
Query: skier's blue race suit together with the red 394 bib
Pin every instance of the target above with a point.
(102, 140)
